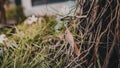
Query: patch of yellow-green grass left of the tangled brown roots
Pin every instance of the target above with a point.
(32, 46)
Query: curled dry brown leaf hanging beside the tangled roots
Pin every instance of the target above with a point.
(70, 39)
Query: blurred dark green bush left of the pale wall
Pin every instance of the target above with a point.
(15, 13)
